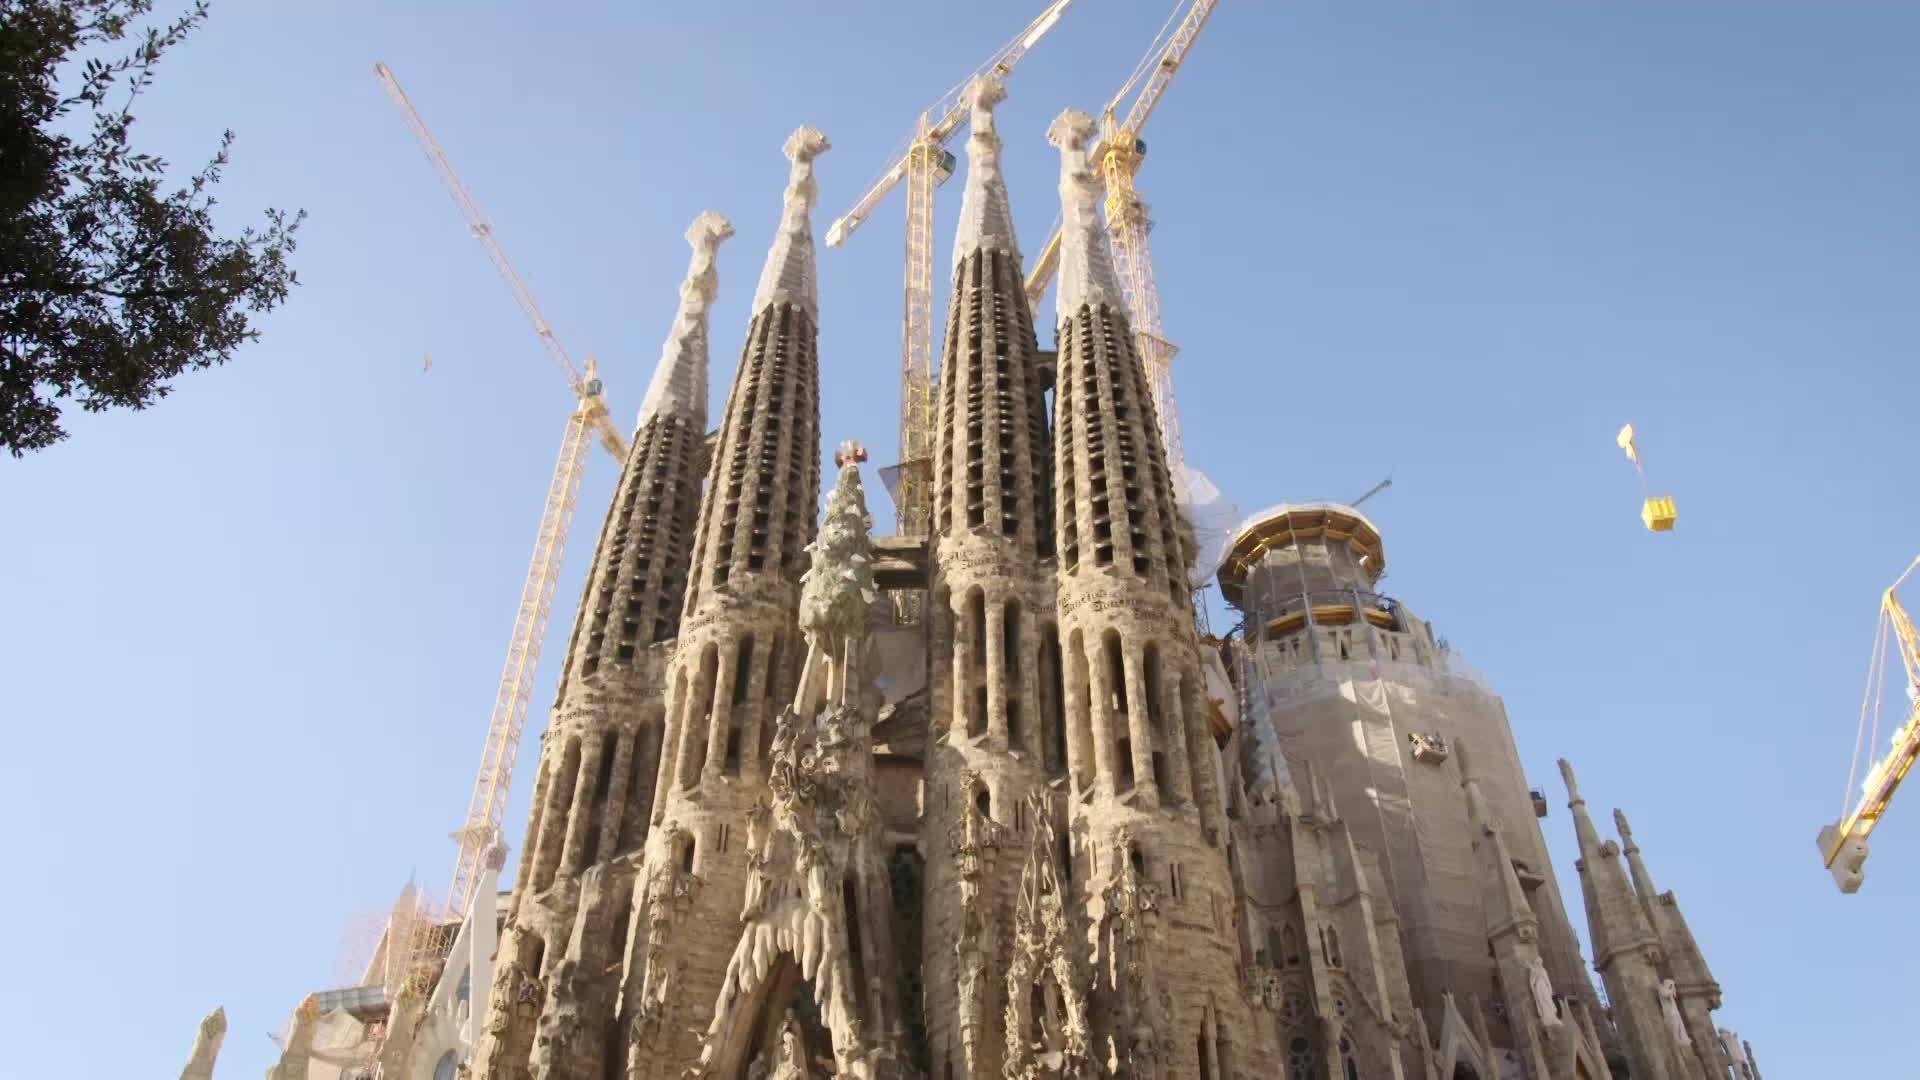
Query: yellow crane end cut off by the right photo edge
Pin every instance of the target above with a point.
(1844, 843)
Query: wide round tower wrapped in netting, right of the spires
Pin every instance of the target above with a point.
(1356, 683)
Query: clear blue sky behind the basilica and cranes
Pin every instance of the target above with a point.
(256, 629)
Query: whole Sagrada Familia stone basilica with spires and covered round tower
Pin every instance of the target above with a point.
(984, 800)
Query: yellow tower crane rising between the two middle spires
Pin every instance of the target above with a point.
(924, 166)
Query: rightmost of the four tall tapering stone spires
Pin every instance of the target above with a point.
(1149, 860)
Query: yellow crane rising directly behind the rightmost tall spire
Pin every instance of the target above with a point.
(1120, 153)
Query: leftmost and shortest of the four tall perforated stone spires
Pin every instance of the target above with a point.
(600, 756)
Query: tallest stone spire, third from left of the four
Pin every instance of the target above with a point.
(996, 724)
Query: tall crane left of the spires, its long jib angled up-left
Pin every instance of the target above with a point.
(489, 804)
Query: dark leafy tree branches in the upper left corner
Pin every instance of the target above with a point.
(112, 282)
